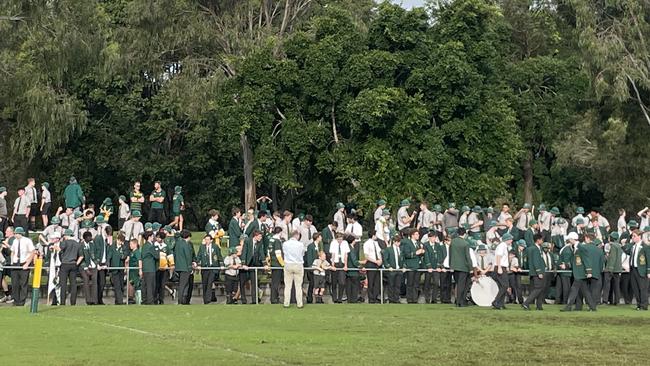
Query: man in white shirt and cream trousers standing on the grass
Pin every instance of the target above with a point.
(293, 251)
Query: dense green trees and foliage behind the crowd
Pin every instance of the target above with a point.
(343, 100)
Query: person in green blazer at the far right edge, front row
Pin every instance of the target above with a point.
(639, 268)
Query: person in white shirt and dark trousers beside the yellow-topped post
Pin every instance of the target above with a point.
(22, 254)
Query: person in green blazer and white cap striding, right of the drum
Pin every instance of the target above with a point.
(579, 265)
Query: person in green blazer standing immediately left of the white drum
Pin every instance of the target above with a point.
(461, 263)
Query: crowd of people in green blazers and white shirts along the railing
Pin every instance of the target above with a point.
(423, 254)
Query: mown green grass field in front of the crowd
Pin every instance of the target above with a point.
(319, 335)
